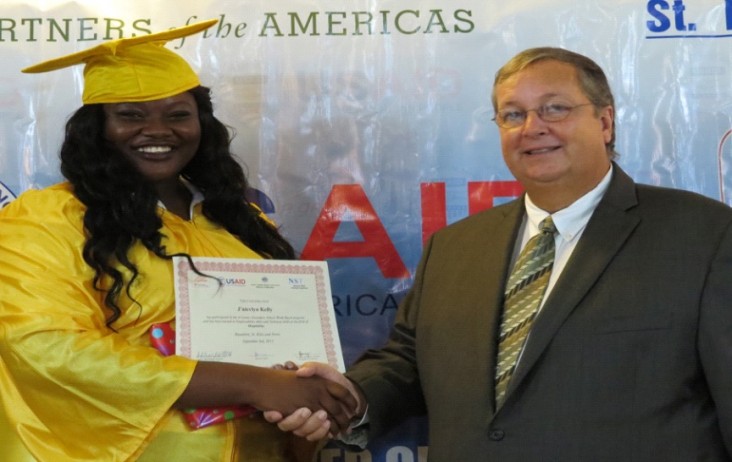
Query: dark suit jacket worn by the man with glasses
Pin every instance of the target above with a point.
(629, 360)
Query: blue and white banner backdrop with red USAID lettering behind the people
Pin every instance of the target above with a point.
(366, 125)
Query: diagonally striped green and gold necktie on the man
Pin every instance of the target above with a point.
(524, 292)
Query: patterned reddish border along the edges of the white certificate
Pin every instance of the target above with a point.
(202, 264)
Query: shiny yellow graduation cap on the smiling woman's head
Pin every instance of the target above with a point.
(132, 69)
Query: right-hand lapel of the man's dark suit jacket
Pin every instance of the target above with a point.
(606, 232)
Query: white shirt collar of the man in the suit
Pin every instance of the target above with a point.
(570, 221)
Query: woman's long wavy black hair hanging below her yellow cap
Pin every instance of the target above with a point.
(121, 206)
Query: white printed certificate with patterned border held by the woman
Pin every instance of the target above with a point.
(258, 312)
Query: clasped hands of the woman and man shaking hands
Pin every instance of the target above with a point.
(321, 402)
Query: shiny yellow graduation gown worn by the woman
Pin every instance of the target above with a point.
(73, 389)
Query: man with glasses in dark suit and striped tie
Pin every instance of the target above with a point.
(628, 357)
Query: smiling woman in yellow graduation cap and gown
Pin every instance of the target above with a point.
(85, 271)
